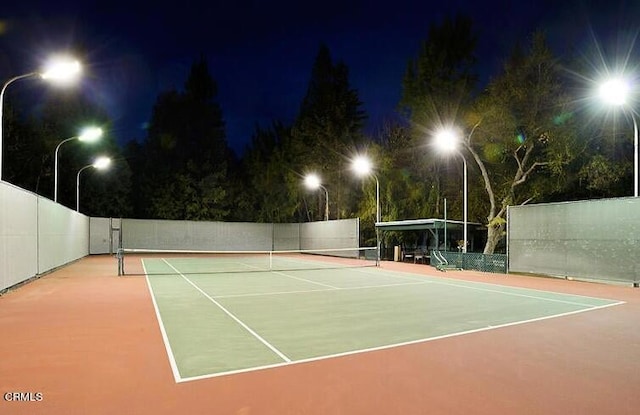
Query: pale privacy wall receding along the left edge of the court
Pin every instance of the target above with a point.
(37, 235)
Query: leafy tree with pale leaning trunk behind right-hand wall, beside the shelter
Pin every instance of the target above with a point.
(516, 136)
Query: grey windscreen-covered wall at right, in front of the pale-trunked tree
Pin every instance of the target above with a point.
(596, 239)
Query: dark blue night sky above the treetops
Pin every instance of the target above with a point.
(261, 52)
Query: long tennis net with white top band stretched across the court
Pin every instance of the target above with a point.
(210, 262)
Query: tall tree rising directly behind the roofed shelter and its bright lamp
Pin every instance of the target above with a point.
(437, 90)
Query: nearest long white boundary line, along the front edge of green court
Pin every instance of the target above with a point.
(391, 346)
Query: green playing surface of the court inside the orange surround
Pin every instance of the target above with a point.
(222, 323)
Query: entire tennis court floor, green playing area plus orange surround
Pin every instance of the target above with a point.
(399, 338)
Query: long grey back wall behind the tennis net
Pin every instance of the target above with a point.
(238, 236)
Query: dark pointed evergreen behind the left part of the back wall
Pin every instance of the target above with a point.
(183, 164)
